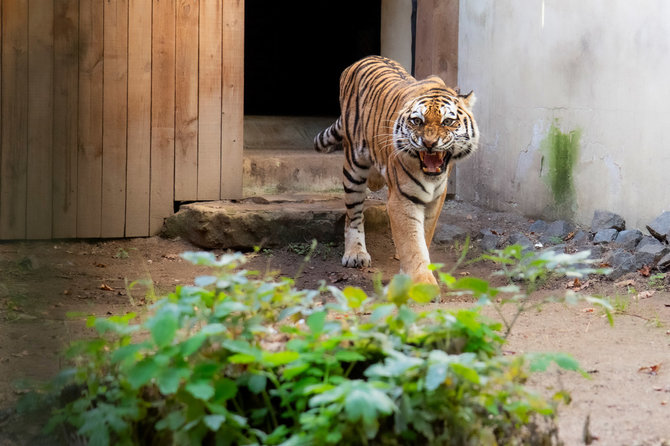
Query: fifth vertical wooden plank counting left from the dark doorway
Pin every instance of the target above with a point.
(139, 118)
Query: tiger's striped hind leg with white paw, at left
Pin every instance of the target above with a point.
(355, 183)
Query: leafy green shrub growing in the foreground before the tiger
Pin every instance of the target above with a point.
(238, 359)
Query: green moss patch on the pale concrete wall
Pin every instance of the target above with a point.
(560, 152)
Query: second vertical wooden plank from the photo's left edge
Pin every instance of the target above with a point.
(40, 120)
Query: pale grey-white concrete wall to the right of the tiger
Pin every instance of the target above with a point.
(598, 66)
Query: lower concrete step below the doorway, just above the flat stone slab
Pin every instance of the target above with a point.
(281, 171)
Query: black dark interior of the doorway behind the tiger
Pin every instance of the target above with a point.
(296, 50)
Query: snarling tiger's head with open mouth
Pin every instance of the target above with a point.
(436, 127)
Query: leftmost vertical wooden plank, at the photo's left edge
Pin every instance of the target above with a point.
(14, 139)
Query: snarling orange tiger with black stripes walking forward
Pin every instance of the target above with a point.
(406, 134)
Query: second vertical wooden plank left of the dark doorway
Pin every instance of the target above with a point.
(209, 110)
